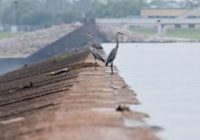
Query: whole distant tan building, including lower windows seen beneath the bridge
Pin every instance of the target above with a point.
(190, 17)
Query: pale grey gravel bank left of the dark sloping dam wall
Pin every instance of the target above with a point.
(28, 43)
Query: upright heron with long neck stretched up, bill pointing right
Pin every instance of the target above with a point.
(113, 53)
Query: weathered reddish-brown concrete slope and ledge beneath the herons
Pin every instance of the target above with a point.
(76, 105)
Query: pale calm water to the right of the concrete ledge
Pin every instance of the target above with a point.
(166, 78)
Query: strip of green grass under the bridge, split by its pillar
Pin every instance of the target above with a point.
(189, 33)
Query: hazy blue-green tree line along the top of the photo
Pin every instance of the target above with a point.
(48, 12)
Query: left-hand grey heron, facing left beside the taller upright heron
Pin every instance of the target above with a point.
(94, 48)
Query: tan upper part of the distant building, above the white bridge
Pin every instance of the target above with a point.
(160, 13)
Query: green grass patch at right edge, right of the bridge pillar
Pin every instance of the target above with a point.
(184, 33)
